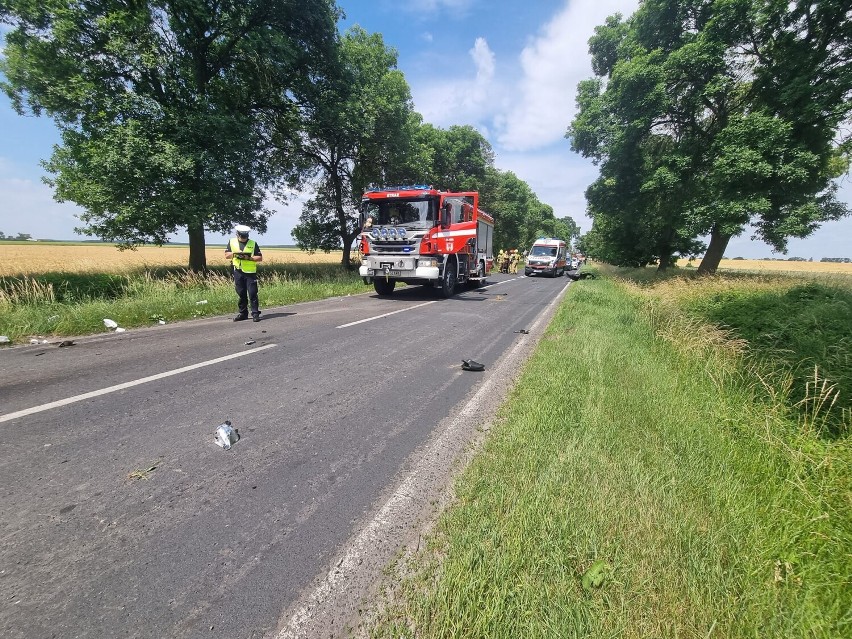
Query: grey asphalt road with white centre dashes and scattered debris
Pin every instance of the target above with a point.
(122, 518)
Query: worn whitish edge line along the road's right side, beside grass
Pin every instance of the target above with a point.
(371, 537)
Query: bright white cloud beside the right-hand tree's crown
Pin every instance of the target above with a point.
(553, 63)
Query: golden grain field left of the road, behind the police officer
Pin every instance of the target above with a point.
(100, 258)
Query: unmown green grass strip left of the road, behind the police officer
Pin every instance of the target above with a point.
(63, 304)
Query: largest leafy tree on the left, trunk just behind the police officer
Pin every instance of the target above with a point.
(164, 106)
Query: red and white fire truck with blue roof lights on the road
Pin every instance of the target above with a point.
(420, 235)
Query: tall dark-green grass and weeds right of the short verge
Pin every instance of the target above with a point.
(797, 332)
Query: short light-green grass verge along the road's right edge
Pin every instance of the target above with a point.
(643, 480)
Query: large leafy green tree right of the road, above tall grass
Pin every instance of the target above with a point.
(710, 115)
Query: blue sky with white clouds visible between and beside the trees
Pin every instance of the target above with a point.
(508, 68)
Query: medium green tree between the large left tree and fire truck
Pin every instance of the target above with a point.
(358, 127)
